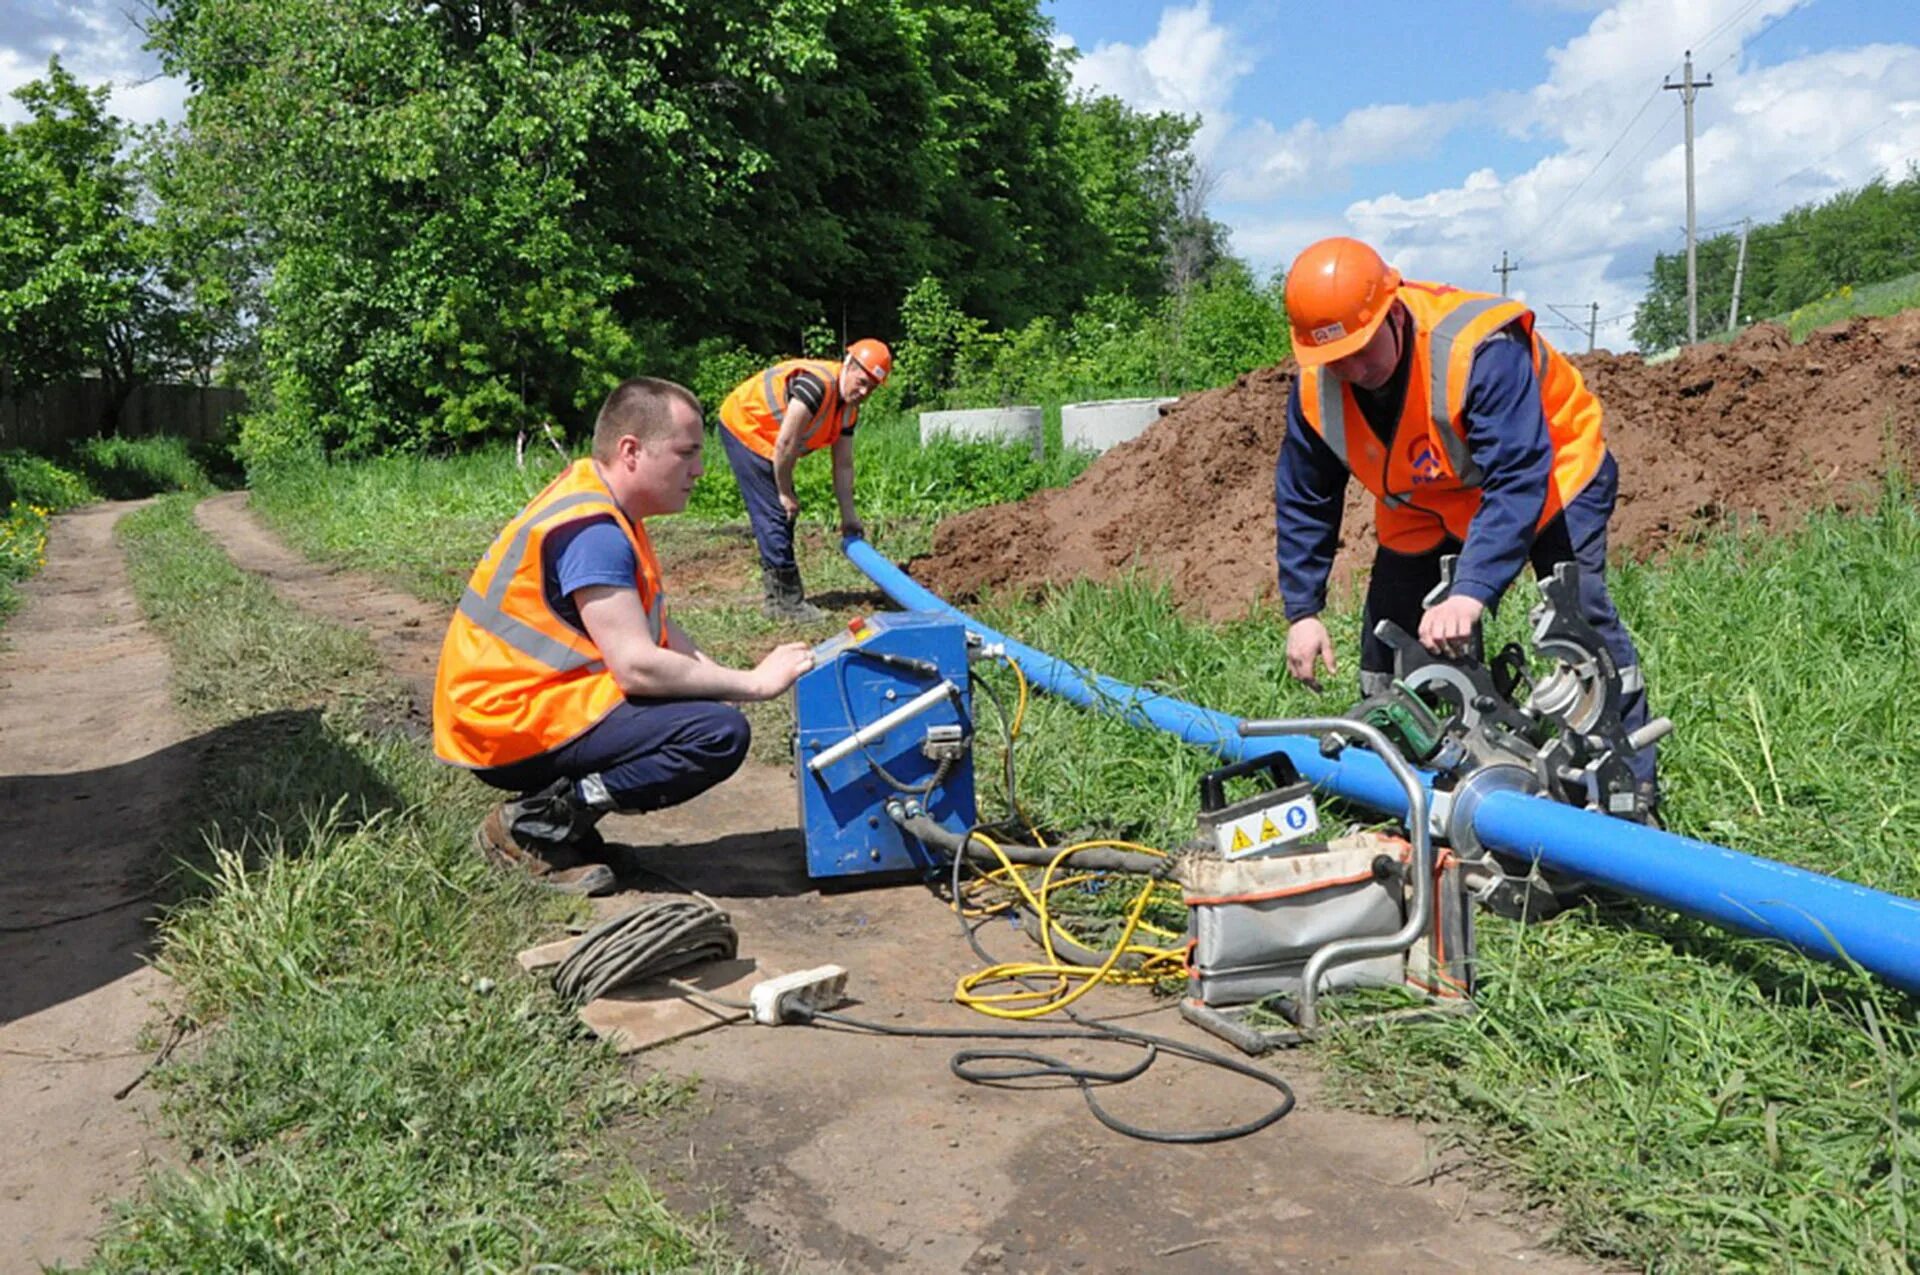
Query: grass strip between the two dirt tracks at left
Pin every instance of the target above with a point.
(377, 1086)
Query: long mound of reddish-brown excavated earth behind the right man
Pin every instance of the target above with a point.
(1760, 431)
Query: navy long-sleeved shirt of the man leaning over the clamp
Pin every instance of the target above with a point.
(1506, 437)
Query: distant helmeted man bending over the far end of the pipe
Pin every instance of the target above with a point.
(771, 421)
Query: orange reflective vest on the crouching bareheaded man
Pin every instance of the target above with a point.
(516, 679)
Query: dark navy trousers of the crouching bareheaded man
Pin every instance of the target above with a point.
(648, 754)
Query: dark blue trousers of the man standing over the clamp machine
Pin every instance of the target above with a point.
(1579, 535)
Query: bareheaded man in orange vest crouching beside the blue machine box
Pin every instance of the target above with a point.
(565, 681)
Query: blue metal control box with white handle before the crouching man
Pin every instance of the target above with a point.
(884, 711)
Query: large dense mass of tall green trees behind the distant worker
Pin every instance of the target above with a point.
(464, 218)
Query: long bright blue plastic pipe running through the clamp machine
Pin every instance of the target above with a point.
(1819, 915)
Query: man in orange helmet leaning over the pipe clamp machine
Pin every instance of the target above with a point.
(1477, 441)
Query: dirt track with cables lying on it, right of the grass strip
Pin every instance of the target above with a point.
(842, 1153)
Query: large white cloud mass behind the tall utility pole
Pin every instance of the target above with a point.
(1587, 220)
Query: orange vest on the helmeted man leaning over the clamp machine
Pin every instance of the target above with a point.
(1424, 479)
